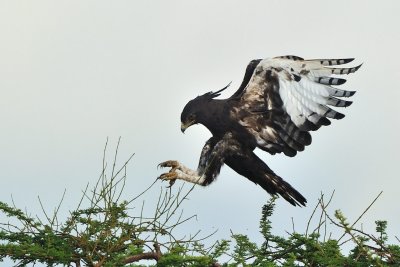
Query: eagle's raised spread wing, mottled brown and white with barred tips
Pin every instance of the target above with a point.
(286, 97)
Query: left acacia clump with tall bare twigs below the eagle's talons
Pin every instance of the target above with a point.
(101, 231)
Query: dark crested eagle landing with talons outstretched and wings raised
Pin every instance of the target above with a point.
(279, 102)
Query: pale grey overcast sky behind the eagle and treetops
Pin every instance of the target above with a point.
(73, 73)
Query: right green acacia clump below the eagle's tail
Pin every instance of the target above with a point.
(316, 247)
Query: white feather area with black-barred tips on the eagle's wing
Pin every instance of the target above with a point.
(305, 98)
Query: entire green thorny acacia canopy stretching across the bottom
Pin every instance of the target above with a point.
(104, 231)
